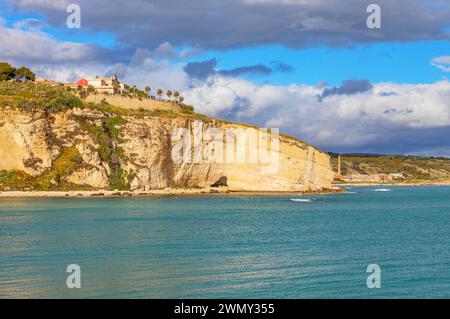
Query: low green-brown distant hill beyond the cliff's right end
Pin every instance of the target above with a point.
(414, 168)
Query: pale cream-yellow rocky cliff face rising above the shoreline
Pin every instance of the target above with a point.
(94, 149)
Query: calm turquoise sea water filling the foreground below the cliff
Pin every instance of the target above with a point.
(229, 247)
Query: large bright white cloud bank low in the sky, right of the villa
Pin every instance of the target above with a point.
(346, 121)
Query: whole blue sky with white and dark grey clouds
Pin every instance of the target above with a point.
(309, 67)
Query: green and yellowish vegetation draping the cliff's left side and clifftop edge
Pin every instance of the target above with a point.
(50, 99)
